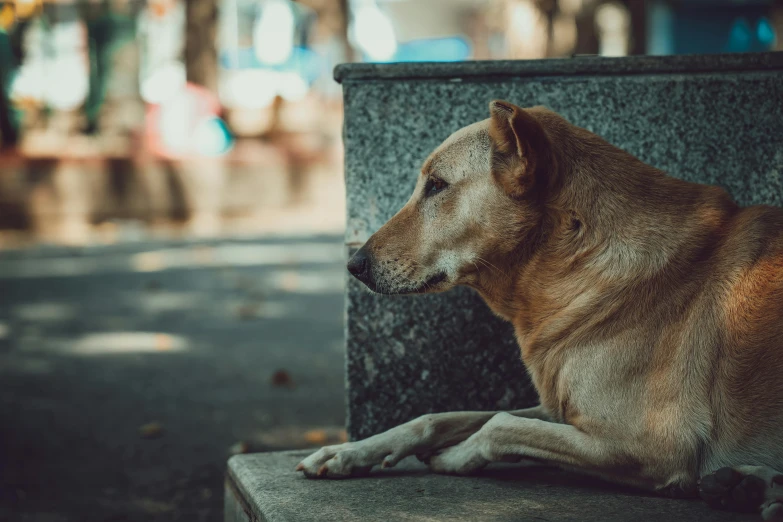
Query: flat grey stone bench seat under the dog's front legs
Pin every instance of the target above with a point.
(264, 487)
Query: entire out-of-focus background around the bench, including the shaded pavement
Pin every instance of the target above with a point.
(171, 218)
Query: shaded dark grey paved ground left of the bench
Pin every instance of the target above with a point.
(129, 374)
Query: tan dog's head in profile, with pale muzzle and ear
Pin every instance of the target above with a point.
(477, 198)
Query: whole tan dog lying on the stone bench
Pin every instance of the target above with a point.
(649, 312)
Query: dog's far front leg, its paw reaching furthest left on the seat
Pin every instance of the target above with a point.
(420, 436)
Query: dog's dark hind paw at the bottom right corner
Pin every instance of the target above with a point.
(745, 488)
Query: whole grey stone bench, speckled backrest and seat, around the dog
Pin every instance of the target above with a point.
(710, 119)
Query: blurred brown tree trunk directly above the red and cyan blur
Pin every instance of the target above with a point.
(201, 18)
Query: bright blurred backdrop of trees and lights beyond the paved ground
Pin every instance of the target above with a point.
(123, 119)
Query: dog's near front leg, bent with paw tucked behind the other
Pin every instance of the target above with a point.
(506, 438)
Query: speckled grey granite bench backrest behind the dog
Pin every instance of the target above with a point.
(410, 355)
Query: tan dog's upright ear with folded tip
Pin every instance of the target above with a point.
(520, 148)
